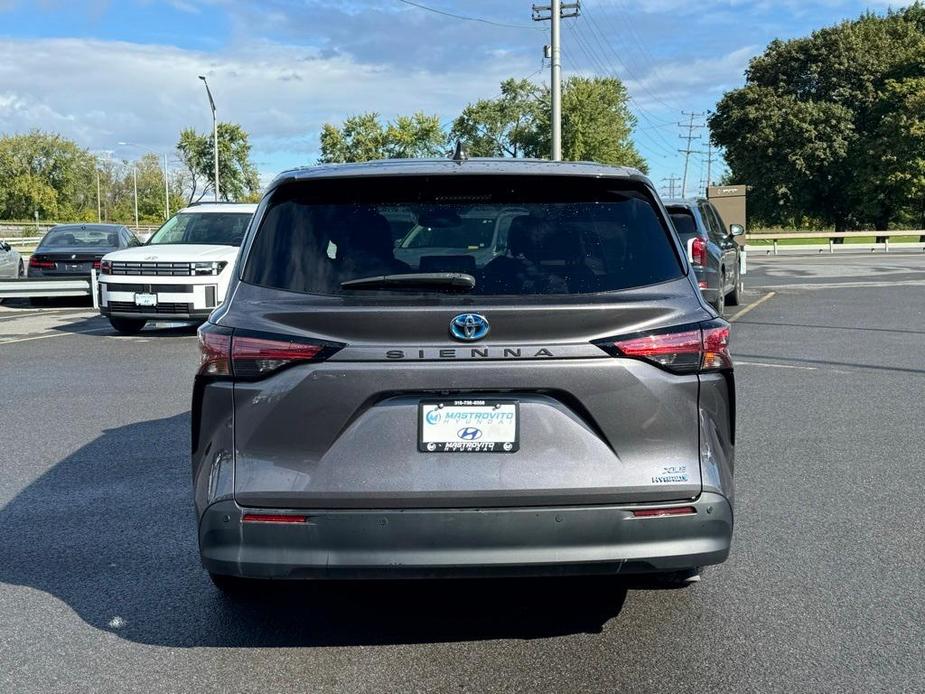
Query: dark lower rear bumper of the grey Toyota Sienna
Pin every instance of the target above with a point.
(465, 542)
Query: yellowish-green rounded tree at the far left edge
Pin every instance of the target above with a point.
(47, 173)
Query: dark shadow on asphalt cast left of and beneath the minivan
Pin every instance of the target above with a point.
(110, 530)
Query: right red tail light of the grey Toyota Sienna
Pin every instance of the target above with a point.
(693, 348)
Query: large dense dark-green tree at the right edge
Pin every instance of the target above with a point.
(827, 127)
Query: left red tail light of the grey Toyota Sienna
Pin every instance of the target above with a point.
(249, 355)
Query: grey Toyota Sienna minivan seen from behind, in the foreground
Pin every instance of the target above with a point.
(566, 408)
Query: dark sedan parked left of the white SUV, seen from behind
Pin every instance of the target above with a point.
(70, 250)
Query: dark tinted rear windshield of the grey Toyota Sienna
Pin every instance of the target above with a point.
(510, 235)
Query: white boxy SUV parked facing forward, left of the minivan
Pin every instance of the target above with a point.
(181, 273)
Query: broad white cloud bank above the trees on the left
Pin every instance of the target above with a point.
(104, 92)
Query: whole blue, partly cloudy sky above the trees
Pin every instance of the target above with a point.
(104, 72)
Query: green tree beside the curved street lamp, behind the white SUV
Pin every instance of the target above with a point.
(237, 175)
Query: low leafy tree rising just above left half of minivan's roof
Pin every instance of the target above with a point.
(363, 137)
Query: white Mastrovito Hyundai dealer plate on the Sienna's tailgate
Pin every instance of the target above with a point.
(468, 426)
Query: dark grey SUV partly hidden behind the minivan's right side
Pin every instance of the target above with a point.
(711, 249)
